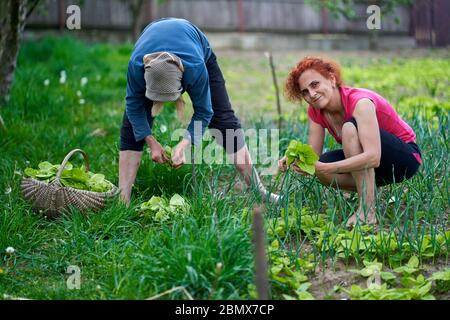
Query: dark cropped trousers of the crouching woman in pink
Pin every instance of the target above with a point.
(398, 160)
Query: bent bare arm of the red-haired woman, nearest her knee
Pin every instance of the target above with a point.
(369, 137)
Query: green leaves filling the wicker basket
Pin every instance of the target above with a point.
(74, 177)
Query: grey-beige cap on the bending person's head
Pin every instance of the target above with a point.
(163, 74)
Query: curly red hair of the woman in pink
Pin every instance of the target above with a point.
(325, 67)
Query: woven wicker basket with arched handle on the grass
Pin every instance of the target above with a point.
(50, 199)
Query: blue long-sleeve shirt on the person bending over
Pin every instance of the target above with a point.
(184, 39)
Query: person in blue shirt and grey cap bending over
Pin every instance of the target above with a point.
(173, 56)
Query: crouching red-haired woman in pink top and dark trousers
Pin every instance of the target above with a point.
(378, 147)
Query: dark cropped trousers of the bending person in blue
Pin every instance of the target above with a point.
(226, 128)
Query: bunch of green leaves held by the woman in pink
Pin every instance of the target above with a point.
(303, 154)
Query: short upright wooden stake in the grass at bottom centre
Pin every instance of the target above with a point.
(262, 281)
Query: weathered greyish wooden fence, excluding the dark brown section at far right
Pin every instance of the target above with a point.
(288, 16)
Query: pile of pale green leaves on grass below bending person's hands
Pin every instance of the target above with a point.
(160, 209)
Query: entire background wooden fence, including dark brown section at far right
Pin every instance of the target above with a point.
(427, 20)
